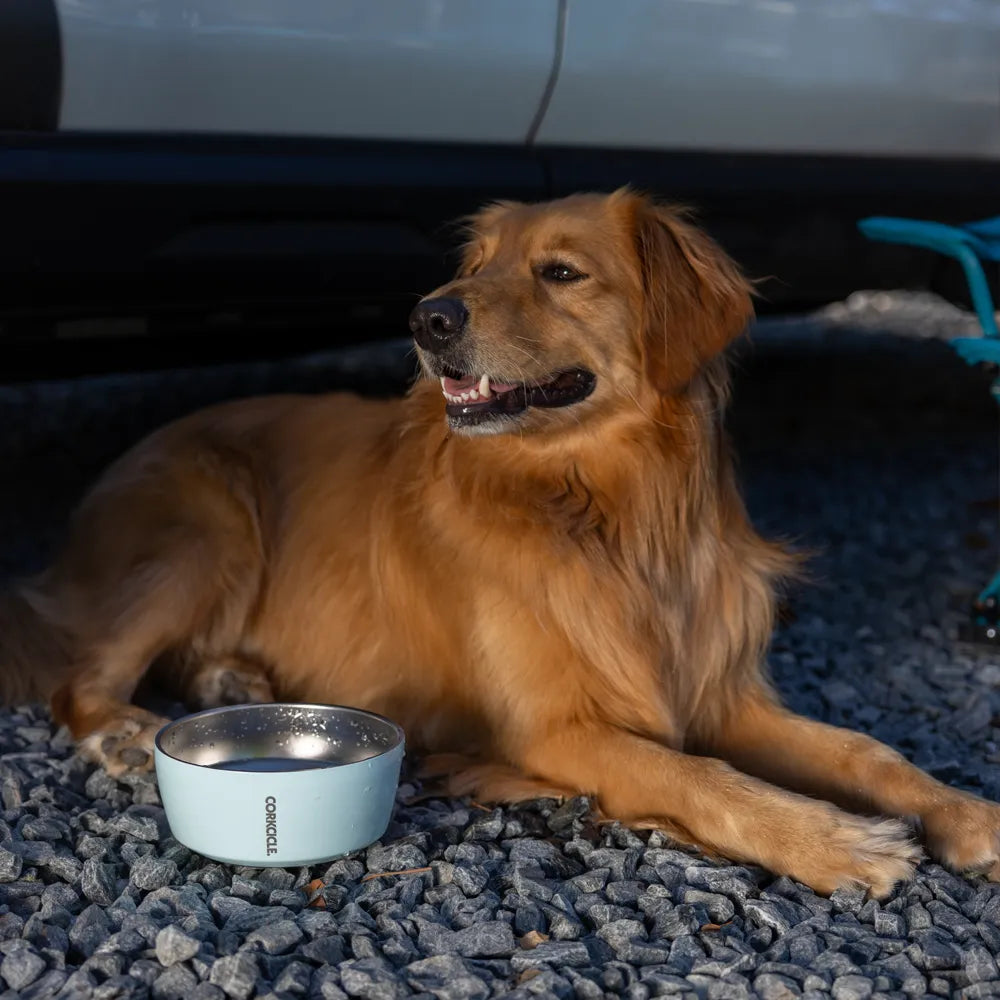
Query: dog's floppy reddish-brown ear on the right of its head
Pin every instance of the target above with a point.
(695, 300)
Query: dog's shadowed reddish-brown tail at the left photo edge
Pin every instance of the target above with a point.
(34, 652)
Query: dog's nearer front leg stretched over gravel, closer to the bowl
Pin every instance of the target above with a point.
(638, 780)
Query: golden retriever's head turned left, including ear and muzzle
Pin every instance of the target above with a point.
(565, 309)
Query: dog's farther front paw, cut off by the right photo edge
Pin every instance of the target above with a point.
(963, 832)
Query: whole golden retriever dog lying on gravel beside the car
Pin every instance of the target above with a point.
(538, 562)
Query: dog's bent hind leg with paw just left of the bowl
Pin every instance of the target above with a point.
(155, 565)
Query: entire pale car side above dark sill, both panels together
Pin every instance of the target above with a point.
(851, 77)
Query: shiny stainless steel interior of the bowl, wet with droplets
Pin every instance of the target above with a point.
(278, 737)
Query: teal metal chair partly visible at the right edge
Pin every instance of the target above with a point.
(970, 244)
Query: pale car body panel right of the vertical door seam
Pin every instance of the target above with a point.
(883, 77)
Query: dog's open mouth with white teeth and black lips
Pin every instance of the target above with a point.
(471, 399)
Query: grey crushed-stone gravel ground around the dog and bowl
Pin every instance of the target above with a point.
(876, 450)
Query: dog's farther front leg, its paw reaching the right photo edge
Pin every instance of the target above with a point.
(764, 739)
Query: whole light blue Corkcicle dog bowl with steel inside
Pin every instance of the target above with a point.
(278, 785)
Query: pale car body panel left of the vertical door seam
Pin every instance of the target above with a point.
(382, 69)
